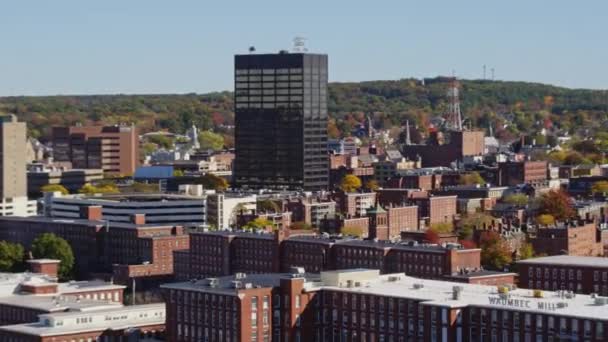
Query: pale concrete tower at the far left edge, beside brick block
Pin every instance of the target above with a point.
(13, 184)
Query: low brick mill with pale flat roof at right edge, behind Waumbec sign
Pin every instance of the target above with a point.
(564, 272)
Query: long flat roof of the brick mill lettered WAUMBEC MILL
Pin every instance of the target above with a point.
(429, 292)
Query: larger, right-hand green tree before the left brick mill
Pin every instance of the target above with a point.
(50, 246)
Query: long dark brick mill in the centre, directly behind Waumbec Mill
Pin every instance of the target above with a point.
(222, 253)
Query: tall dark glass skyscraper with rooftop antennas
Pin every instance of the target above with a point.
(281, 121)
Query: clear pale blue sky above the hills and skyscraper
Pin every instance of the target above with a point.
(137, 46)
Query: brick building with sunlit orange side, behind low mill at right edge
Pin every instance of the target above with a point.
(576, 237)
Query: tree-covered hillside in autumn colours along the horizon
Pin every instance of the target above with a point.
(510, 107)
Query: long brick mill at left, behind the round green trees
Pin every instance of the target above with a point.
(124, 250)
